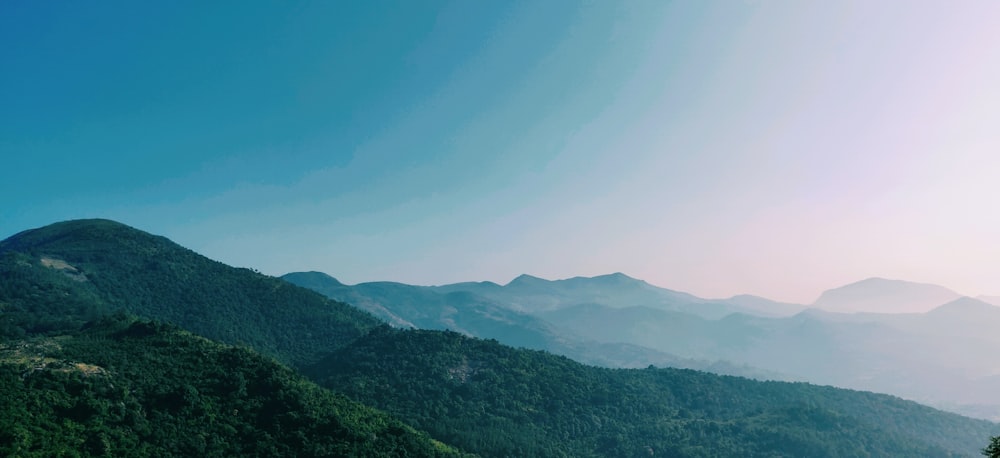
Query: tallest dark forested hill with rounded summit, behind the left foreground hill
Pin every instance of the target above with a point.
(103, 266)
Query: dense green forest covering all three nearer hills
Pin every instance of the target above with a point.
(85, 372)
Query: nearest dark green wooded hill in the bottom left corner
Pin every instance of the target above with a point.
(135, 388)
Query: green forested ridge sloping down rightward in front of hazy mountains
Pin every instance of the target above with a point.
(499, 401)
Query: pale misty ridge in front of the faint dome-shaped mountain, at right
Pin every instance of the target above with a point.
(945, 357)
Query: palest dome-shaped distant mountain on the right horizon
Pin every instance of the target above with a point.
(878, 295)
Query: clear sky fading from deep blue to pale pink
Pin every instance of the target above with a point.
(777, 148)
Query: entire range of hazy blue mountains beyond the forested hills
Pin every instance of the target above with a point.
(846, 338)
